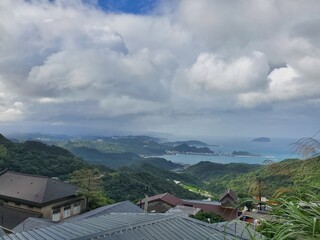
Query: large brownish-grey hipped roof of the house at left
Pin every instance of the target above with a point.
(34, 189)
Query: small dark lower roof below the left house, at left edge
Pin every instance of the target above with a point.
(11, 217)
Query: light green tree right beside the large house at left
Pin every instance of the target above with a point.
(90, 182)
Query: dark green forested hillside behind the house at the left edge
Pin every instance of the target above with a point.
(37, 158)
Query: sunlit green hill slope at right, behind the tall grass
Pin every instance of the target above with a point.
(293, 175)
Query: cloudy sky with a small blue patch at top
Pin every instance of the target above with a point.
(177, 67)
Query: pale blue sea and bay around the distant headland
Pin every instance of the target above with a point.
(277, 150)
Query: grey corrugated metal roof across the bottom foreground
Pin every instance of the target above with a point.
(129, 227)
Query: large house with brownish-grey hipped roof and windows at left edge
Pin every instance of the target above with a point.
(23, 195)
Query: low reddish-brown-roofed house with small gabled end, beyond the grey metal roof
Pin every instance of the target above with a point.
(226, 207)
